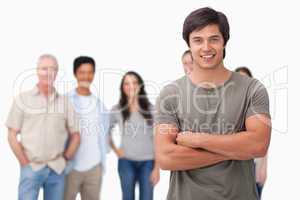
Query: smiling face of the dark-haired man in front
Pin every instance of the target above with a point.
(207, 47)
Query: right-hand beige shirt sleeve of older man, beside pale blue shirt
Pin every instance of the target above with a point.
(72, 118)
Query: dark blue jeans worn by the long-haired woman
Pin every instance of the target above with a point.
(131, 172)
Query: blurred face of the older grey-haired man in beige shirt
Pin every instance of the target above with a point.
(47, 71)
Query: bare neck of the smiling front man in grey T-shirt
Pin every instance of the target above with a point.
(209, 77)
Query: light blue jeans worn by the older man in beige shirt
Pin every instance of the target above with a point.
(31, 182)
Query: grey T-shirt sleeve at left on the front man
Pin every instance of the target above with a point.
(166, 107)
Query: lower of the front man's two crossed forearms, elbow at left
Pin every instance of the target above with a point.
(185, 158)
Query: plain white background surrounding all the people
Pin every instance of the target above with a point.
(146, 37)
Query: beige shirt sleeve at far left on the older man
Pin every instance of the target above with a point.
(15, 116)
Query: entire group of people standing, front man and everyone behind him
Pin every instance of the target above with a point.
(209, 126)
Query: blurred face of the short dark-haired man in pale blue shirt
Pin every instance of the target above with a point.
(85, 75)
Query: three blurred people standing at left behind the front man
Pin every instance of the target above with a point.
(65, 138)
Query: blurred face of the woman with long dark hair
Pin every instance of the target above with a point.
(131, 86)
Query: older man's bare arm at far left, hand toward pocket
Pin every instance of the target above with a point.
(17, 147)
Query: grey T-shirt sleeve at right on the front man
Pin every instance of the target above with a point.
(258, 100)
